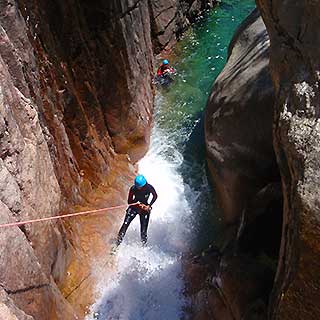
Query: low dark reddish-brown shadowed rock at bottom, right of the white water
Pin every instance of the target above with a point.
(227, 286)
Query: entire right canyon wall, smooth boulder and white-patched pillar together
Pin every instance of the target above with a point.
(253, 130)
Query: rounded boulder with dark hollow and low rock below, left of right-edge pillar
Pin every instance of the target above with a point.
(235, 280)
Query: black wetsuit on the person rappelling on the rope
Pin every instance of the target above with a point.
(138, 195)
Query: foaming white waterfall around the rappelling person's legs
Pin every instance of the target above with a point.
(148, 283)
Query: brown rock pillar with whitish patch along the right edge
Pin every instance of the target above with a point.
(295, 69)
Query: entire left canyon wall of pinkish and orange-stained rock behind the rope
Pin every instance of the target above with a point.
(76, 105)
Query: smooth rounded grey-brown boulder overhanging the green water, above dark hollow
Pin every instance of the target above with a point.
(238, 121)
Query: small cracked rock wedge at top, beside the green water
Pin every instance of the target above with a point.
(169, 18)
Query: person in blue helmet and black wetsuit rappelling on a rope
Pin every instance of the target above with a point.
(138, 196)
